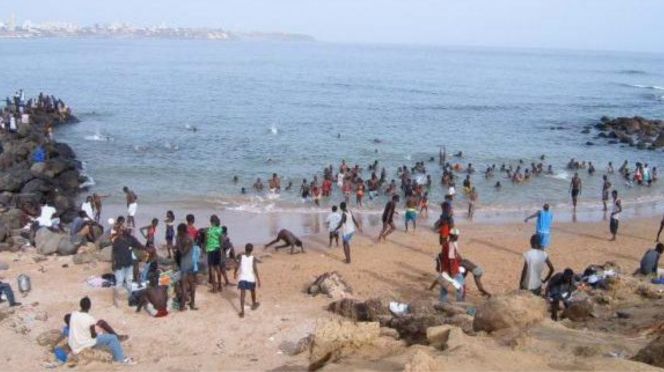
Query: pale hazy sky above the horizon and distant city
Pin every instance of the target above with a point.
(576, 24)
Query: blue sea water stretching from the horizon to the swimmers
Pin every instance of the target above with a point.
(296, 107)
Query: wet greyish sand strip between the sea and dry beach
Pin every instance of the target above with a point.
(263, 226)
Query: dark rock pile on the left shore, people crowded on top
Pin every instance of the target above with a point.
(34, 169)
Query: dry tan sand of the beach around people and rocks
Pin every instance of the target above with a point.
(214, 338)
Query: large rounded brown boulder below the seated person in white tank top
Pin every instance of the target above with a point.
(518, 309)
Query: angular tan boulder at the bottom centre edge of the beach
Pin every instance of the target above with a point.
(334, 339)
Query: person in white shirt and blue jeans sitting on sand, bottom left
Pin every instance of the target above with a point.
(83, 334)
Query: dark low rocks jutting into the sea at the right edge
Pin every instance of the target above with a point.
(636, 131)
